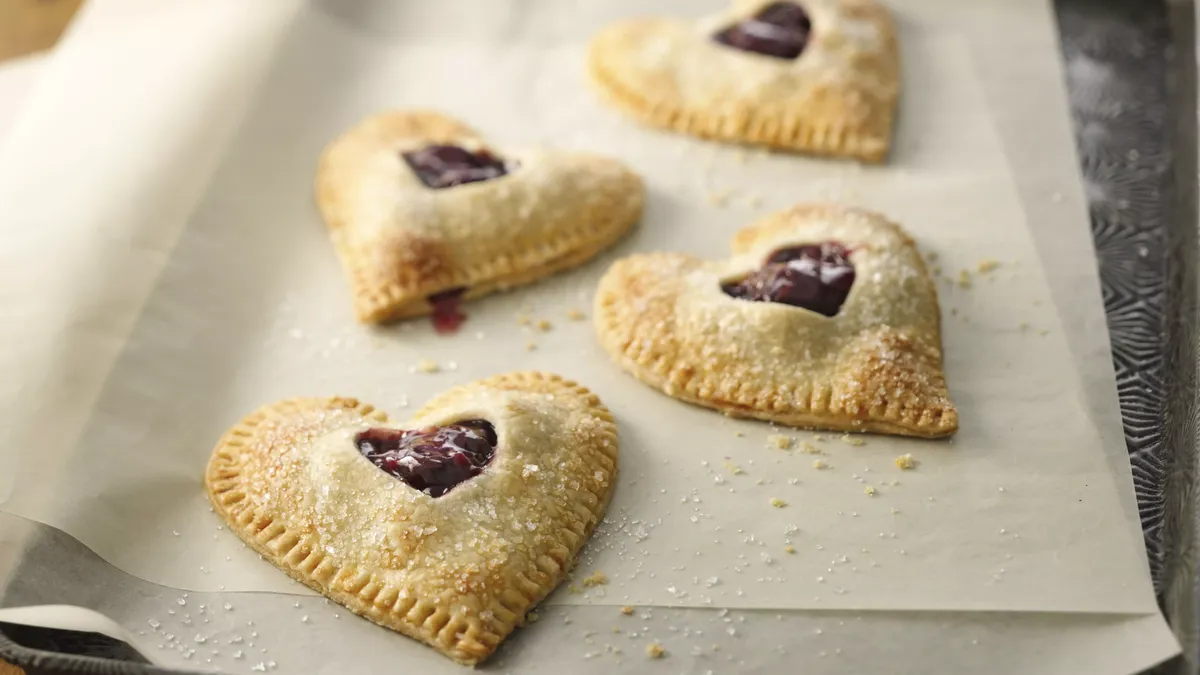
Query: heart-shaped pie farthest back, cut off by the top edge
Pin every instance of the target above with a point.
(813, 76)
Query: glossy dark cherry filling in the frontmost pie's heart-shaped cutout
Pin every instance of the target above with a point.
(434, 459)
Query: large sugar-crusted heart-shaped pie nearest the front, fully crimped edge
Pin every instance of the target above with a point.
(448, 530)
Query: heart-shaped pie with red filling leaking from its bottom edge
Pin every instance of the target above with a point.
(424, 214)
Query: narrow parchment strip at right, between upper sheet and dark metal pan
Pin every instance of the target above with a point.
(1021, 93)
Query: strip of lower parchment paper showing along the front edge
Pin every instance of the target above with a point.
(243, 632)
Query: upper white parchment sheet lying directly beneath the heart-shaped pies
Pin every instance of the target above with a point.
(1018, 513)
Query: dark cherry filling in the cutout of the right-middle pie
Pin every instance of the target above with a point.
(814, 277)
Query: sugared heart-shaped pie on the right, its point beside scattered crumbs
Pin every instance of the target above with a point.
(826, 318)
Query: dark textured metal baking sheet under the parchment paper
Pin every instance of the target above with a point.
(1136, 133)
